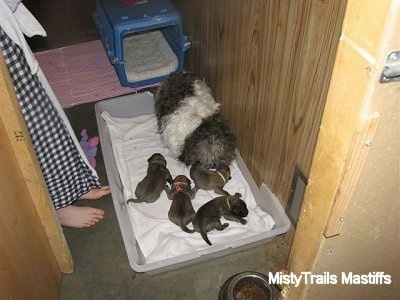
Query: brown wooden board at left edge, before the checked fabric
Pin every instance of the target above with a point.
(29, 268)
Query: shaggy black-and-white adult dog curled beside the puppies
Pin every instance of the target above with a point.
(190, 122)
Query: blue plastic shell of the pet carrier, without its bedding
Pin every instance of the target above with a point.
(116, 19)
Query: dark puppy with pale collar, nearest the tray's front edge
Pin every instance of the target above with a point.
(208, 216)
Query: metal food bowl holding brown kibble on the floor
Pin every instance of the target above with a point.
(248, 286)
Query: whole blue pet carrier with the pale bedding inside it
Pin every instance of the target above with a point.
(144, 40)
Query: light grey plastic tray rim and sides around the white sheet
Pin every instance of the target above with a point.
(143, 104)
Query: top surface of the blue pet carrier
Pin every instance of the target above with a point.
(135, 12)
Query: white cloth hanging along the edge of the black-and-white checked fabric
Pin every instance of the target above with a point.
(17, 21)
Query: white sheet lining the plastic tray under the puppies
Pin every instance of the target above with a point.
(134, 140)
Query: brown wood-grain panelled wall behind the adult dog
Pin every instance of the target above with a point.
(269, 63)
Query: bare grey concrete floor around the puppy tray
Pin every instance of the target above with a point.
(101, 267)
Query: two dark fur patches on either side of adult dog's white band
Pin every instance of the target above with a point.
(212, 143)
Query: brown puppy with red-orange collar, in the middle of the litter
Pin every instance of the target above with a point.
(181, 211)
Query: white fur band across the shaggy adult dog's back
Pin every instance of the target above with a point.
(192, 110)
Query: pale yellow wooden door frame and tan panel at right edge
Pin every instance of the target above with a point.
(368, 241)
